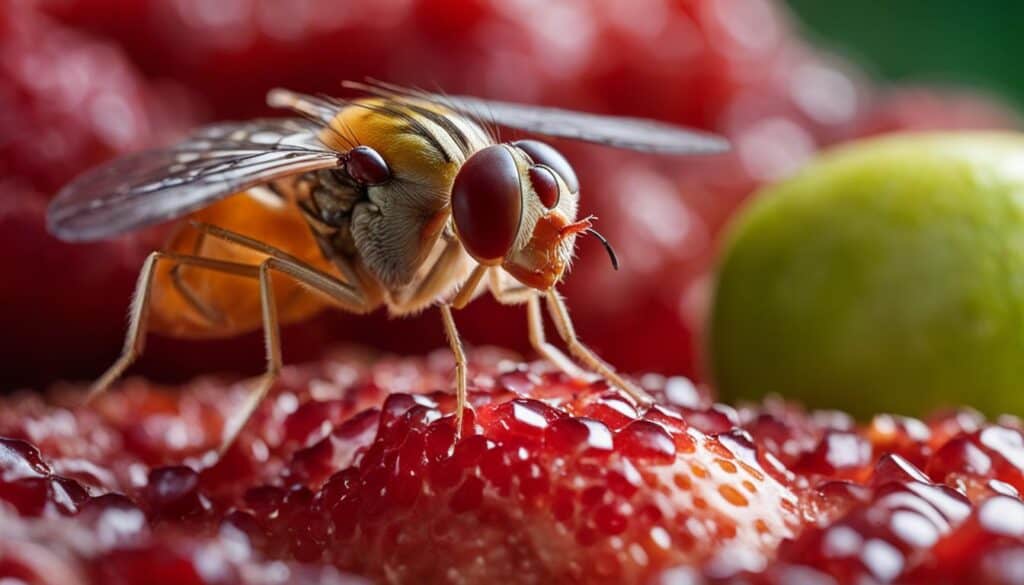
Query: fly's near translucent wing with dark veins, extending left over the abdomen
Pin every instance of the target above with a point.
(156, 186)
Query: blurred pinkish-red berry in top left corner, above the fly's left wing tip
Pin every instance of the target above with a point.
(73, 102)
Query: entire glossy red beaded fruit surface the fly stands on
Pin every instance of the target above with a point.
(354, 468)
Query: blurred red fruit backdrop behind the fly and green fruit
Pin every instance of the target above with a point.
(86, 80)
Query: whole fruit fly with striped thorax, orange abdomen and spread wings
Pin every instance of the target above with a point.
(400, 198)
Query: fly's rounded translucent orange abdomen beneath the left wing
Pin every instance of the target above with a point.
(234, 302)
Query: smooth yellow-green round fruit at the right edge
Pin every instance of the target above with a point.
(885, 277)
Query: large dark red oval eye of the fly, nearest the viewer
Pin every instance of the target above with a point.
(487, 203)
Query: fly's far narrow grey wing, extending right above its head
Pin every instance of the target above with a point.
(620, 133)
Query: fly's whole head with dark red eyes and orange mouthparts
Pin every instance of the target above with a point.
(515, 206)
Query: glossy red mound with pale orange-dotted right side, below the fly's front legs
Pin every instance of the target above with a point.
(544, 472)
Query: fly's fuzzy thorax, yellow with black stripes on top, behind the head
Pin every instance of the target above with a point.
(394, 226)
